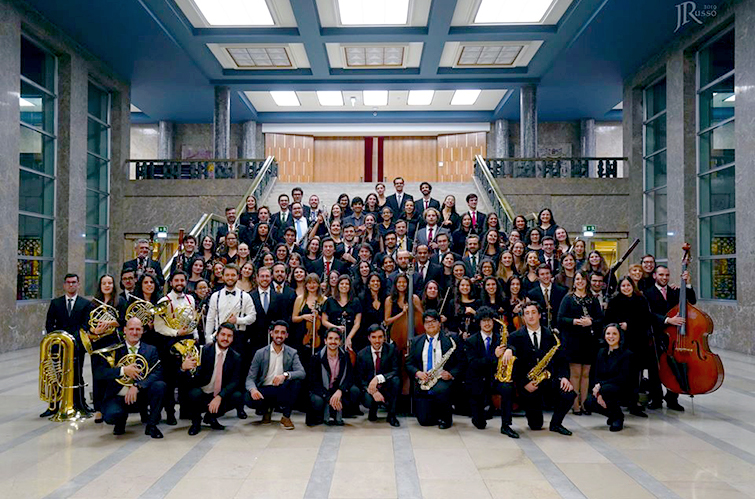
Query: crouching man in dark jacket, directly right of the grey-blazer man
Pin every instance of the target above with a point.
(331, 383)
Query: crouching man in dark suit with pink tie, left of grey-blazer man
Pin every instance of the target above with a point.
(214, 387)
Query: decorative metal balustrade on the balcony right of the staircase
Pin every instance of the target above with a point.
(557, 167)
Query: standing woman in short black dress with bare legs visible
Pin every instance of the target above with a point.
(580, 320)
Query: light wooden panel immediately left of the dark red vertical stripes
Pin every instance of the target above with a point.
(339, 159)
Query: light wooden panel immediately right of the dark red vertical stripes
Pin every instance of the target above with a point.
(413, 158)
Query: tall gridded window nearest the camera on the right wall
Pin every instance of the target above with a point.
(716, 172)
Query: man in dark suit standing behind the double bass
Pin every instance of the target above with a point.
(662, 298)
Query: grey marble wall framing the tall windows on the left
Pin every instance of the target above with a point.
(23, 322)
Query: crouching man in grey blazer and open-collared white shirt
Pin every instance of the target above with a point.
(275, 377)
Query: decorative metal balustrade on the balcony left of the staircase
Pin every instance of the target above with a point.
(191, 169)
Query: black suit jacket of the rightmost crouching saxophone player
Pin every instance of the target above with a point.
(527, 357)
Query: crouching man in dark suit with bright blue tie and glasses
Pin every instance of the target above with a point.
(426, 352)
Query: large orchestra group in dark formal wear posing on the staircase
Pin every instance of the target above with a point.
(413, 305)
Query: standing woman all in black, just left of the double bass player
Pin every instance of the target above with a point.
(629, 309)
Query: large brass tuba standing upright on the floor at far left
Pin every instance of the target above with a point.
(56, 375)
